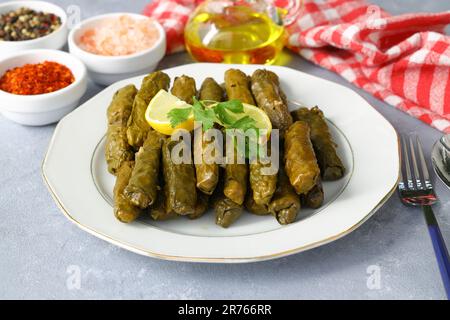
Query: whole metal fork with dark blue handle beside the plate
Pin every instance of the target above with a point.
(417, 190)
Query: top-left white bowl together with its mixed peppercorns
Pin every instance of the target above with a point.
(28, 25)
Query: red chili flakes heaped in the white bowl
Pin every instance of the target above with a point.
(38, 78)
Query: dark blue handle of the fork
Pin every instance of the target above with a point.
(439, 247)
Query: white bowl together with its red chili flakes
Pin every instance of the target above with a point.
(39, 87)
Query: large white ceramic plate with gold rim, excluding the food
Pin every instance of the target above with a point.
(75, 172)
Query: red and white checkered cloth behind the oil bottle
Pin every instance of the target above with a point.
(403, 60)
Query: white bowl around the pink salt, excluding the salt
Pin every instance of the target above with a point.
(109, 69)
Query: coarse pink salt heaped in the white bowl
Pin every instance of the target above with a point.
(119, 36)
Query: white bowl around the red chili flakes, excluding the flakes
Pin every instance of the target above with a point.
(42, 109)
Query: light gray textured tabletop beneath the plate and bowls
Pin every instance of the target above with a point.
(39, 246)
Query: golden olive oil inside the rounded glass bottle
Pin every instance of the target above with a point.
(238, 34)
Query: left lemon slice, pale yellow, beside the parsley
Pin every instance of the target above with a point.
(158, 108)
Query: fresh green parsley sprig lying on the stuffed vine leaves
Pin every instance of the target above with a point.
(223, 113)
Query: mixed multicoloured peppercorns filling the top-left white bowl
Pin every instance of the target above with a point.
(27, 24)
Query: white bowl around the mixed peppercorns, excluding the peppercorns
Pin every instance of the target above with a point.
(54, 40)
